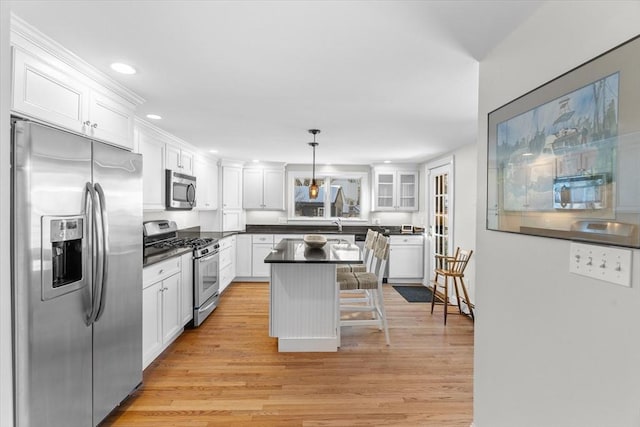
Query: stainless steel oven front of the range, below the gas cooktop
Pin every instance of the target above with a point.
(206, 282)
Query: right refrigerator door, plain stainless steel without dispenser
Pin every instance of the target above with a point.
(117, 338)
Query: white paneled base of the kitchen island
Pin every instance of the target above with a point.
(304, 307)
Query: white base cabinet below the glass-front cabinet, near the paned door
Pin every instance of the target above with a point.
(406, 258)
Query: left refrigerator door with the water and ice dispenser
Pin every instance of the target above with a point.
(51, 338)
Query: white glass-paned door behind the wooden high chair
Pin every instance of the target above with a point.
(440, 208)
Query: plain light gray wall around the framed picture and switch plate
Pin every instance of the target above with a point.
(551, 348)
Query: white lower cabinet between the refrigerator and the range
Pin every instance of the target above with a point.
(161, 307)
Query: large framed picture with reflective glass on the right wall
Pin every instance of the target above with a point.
(563, 160)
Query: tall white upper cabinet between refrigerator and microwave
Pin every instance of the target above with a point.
(153, 173)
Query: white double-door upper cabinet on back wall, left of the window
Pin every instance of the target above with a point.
(263, 189)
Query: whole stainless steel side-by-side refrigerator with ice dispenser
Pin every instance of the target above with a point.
(76, 276)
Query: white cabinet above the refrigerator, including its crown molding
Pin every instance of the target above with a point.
(77, 98)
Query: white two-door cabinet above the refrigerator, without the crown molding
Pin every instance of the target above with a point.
(46, 88)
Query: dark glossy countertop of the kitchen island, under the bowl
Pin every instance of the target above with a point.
(295, 251)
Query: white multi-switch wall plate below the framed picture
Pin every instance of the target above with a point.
(607, 263)
